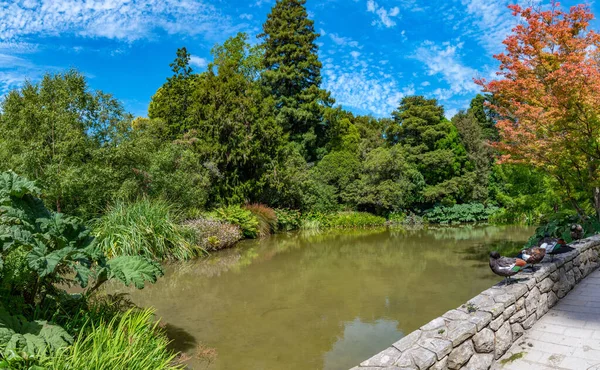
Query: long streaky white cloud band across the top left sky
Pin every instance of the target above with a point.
(113, 19)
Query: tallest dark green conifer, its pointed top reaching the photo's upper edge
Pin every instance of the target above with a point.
(293, 74)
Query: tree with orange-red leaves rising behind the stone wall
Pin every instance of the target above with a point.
(548, 98)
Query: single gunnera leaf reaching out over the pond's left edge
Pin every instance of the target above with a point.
(134, 269)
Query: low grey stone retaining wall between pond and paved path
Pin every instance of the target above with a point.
(482, 330)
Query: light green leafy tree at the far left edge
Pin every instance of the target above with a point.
(53, 132)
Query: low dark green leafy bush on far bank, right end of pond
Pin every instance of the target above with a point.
(460, 213)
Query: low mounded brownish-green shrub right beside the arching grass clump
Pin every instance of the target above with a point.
(212, 235)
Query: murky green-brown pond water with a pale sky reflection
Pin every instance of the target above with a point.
(321, 301)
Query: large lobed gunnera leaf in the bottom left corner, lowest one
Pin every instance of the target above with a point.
(34, 338)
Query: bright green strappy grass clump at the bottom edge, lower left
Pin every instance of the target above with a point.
(129, 341)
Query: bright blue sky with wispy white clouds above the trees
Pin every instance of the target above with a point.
(374, 52)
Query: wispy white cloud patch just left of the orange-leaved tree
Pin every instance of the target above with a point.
(445, 61)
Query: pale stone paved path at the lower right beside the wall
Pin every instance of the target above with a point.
(567, 337)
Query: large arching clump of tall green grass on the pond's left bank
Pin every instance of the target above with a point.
(145, 227)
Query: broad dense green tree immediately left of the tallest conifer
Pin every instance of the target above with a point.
(232, 124)
